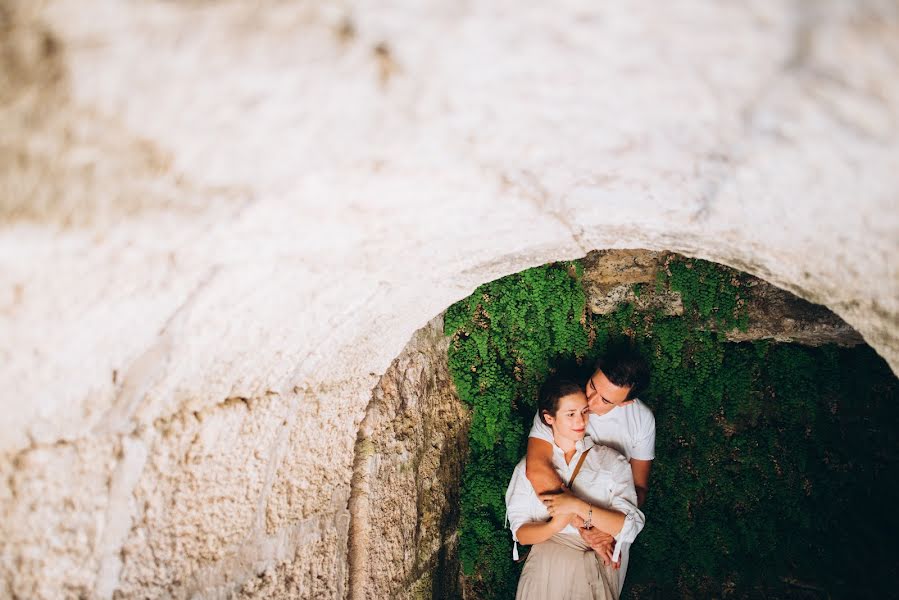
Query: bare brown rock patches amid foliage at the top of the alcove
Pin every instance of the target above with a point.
(611, 275)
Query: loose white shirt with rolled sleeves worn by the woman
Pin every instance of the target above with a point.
(605, 480)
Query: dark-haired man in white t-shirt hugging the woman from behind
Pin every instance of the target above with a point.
(618, 420)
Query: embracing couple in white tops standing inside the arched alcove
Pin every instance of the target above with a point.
(575, 497)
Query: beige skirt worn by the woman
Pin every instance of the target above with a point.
(565, 568)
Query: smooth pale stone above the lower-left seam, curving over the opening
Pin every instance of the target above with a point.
(278, 196)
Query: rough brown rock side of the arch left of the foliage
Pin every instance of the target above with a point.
(409, 456)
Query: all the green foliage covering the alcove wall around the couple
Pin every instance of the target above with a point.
(776, 466)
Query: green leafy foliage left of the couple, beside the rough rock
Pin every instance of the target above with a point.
(504, 338)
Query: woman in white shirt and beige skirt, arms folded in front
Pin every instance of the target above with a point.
(560, 564)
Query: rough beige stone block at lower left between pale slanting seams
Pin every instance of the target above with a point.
(196, 506)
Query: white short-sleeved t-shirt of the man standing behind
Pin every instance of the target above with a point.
(630, 429)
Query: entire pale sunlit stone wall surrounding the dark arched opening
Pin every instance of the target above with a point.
(220, 222)
